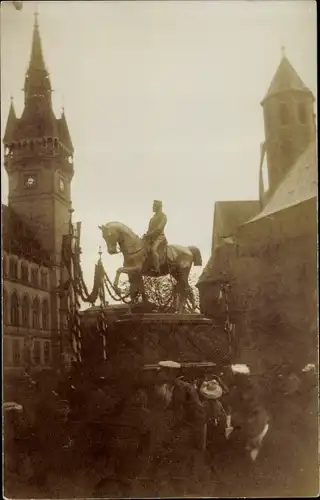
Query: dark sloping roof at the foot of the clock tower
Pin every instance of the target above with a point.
(19, 239)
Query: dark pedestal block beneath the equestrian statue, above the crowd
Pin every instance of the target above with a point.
(147, 338)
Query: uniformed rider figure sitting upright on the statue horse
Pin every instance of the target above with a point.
(155, 234)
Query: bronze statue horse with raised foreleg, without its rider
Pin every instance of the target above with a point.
(174, 260)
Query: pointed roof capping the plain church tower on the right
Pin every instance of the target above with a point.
(286, 79)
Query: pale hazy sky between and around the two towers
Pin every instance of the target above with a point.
(162, 101)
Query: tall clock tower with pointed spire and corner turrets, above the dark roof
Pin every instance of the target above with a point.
(39, 157)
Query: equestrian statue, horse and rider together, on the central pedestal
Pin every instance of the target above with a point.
(151, 256)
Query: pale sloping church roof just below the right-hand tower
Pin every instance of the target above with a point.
(298, 185)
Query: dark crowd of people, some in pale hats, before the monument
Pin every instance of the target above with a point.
(165, 433)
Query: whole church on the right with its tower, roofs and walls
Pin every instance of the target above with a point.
(267, 249)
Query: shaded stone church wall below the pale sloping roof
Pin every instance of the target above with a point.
(274, 302)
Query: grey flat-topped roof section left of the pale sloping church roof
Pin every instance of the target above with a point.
(228, 215)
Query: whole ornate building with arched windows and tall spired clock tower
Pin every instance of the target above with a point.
(38, 158)
